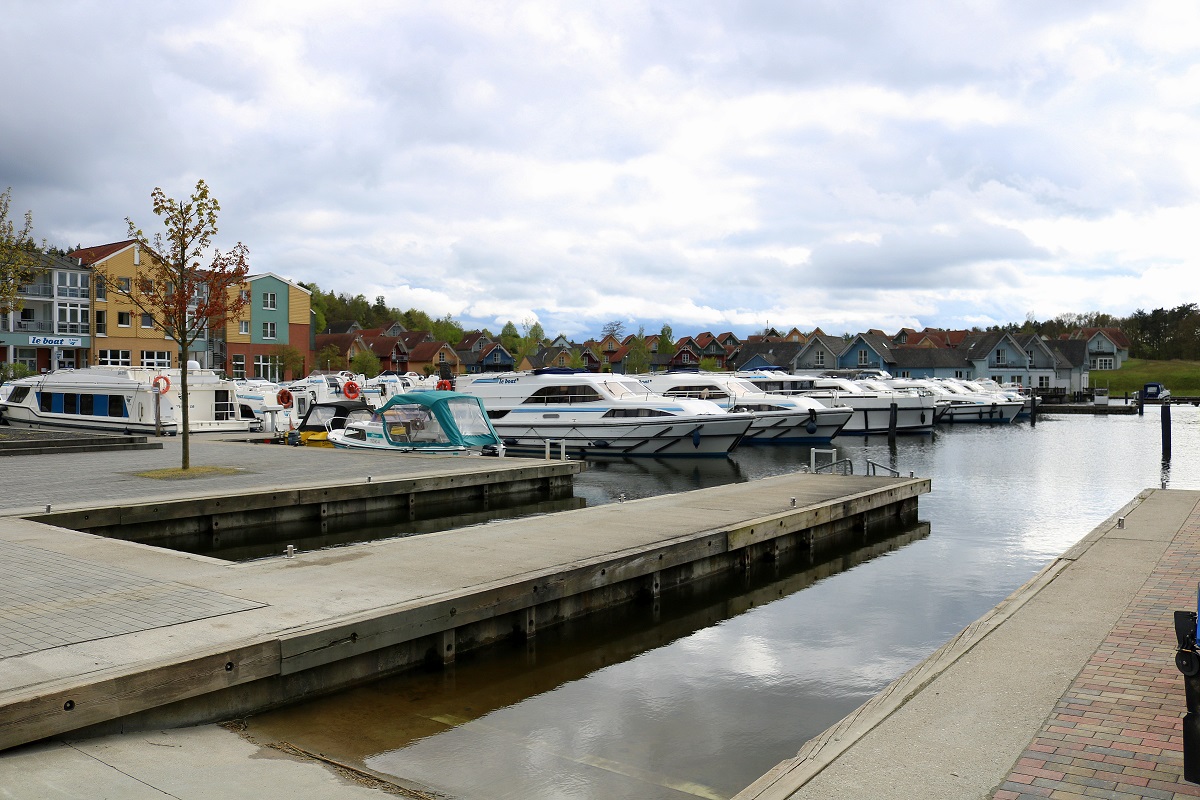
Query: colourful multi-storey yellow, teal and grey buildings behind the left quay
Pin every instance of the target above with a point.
(70, 320)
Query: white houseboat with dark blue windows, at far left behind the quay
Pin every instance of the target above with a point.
(127, 400)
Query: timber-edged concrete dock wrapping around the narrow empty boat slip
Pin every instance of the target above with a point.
(101, 635)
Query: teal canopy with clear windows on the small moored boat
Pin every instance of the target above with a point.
(436, 420)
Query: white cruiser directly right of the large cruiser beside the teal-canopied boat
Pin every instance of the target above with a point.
(778, 419)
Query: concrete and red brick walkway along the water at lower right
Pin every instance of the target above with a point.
(1066, 690)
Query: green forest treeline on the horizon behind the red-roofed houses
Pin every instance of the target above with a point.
(1163, 334)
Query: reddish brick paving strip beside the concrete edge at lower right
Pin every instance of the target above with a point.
(1115, 733)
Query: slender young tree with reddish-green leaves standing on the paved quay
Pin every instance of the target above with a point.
(187, 293)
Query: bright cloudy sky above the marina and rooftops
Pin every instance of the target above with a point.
(709, 165)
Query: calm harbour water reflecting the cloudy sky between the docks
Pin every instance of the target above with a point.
(703, 695)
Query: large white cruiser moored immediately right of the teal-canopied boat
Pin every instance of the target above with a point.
(593, 414)
